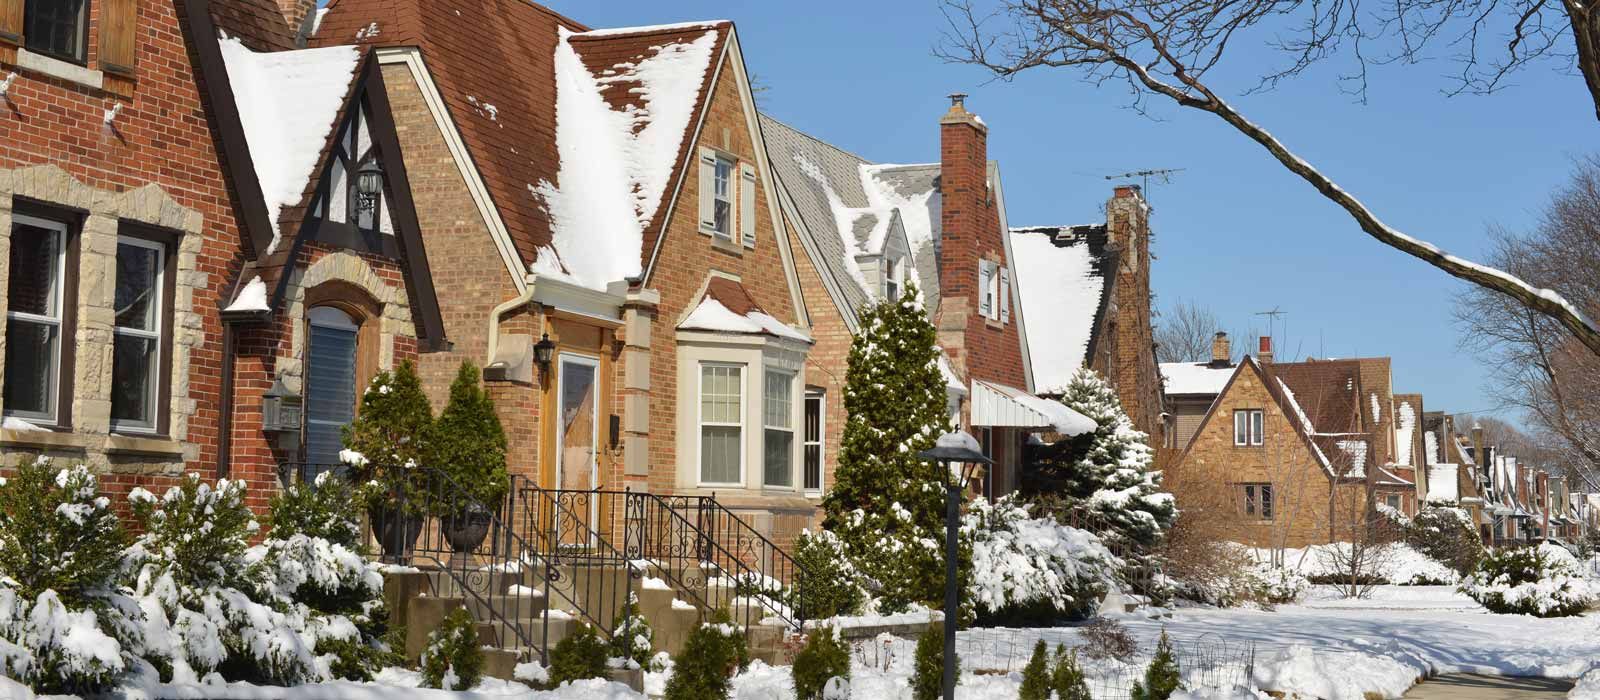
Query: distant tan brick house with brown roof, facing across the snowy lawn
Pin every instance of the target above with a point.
(1281, 455)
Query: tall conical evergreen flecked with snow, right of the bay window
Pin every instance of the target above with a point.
(886, 504)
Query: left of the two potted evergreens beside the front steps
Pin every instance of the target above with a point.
(388, 443)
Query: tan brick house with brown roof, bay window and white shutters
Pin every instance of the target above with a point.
(606, 196)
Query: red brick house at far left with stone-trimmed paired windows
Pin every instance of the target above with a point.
(119, 237)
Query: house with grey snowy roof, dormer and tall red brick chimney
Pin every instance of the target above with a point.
(870, 229)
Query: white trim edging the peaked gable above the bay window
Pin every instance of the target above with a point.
(734, 57)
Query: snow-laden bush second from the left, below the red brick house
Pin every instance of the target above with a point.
(204, 597)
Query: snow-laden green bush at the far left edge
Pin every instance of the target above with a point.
(65, 627)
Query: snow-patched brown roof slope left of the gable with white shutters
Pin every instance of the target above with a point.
(618, 135)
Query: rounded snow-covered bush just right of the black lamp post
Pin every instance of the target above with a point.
(1031, 567)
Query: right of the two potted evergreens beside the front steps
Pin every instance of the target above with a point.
(470, 442)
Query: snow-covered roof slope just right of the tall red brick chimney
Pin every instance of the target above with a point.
(1062, 290)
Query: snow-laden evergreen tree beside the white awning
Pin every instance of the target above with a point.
(1105, 472)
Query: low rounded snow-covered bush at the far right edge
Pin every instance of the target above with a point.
(1530, 581)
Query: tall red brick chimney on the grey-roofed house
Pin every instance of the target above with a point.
(969, 226)
